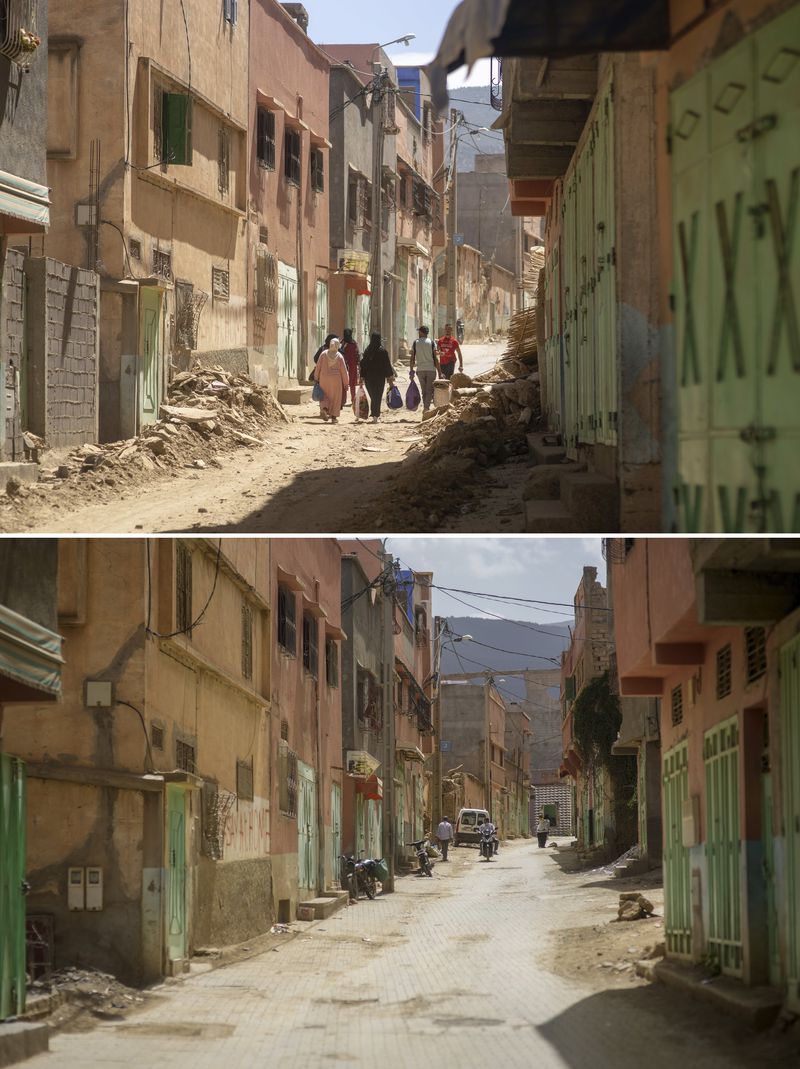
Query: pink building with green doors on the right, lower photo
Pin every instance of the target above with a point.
(710, 629)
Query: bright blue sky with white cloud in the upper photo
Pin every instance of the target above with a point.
(348, 22)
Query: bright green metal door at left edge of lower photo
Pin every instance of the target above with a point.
(12, 886)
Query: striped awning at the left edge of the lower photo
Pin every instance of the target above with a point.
(30, 659)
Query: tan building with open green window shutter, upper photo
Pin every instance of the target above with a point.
(150, 188)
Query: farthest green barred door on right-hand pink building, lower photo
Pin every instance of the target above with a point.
(678, 880)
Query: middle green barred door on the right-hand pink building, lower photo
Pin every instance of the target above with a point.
(724, 846)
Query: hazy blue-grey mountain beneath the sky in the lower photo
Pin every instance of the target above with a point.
(519, 646)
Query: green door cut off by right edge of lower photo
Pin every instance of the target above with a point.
(791, 800)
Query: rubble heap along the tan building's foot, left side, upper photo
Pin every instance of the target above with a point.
(208, 411)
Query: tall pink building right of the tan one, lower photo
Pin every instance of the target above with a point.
(306, 741)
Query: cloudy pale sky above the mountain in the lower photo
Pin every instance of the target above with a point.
(537, 568)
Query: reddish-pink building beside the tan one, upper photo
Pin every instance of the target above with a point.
(288, 195)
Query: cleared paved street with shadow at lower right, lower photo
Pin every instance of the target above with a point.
(457, 971)
